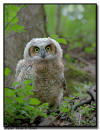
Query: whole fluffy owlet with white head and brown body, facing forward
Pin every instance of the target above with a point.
(43, 60)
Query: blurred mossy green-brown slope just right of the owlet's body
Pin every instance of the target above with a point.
(76, 79)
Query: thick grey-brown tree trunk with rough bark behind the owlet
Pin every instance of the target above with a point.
(32, 17)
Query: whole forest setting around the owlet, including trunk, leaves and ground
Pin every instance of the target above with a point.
(74, 27)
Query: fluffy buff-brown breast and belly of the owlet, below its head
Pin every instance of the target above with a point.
(48, 81)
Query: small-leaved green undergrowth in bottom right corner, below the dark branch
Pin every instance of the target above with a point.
(80, 117)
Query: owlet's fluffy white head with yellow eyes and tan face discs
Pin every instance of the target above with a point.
(42, 49)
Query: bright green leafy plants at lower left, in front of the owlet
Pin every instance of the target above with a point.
(21, 105)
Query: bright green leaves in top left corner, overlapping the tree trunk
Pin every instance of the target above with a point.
(11, 19)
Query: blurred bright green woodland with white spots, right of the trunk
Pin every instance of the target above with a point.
(75, 23)
